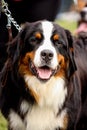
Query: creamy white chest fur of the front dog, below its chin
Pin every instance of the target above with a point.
(43, 115)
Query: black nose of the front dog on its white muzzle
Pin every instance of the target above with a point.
(46, 55)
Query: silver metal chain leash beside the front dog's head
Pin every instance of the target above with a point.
(9, 16)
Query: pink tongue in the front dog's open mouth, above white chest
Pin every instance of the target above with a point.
(44, 73)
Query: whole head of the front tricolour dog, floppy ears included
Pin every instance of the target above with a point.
(43, 49)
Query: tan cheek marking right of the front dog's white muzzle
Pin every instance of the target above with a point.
(63, 66)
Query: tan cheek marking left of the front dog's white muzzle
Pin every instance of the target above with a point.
(24, 64)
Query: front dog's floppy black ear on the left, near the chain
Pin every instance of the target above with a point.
(15, 46)
